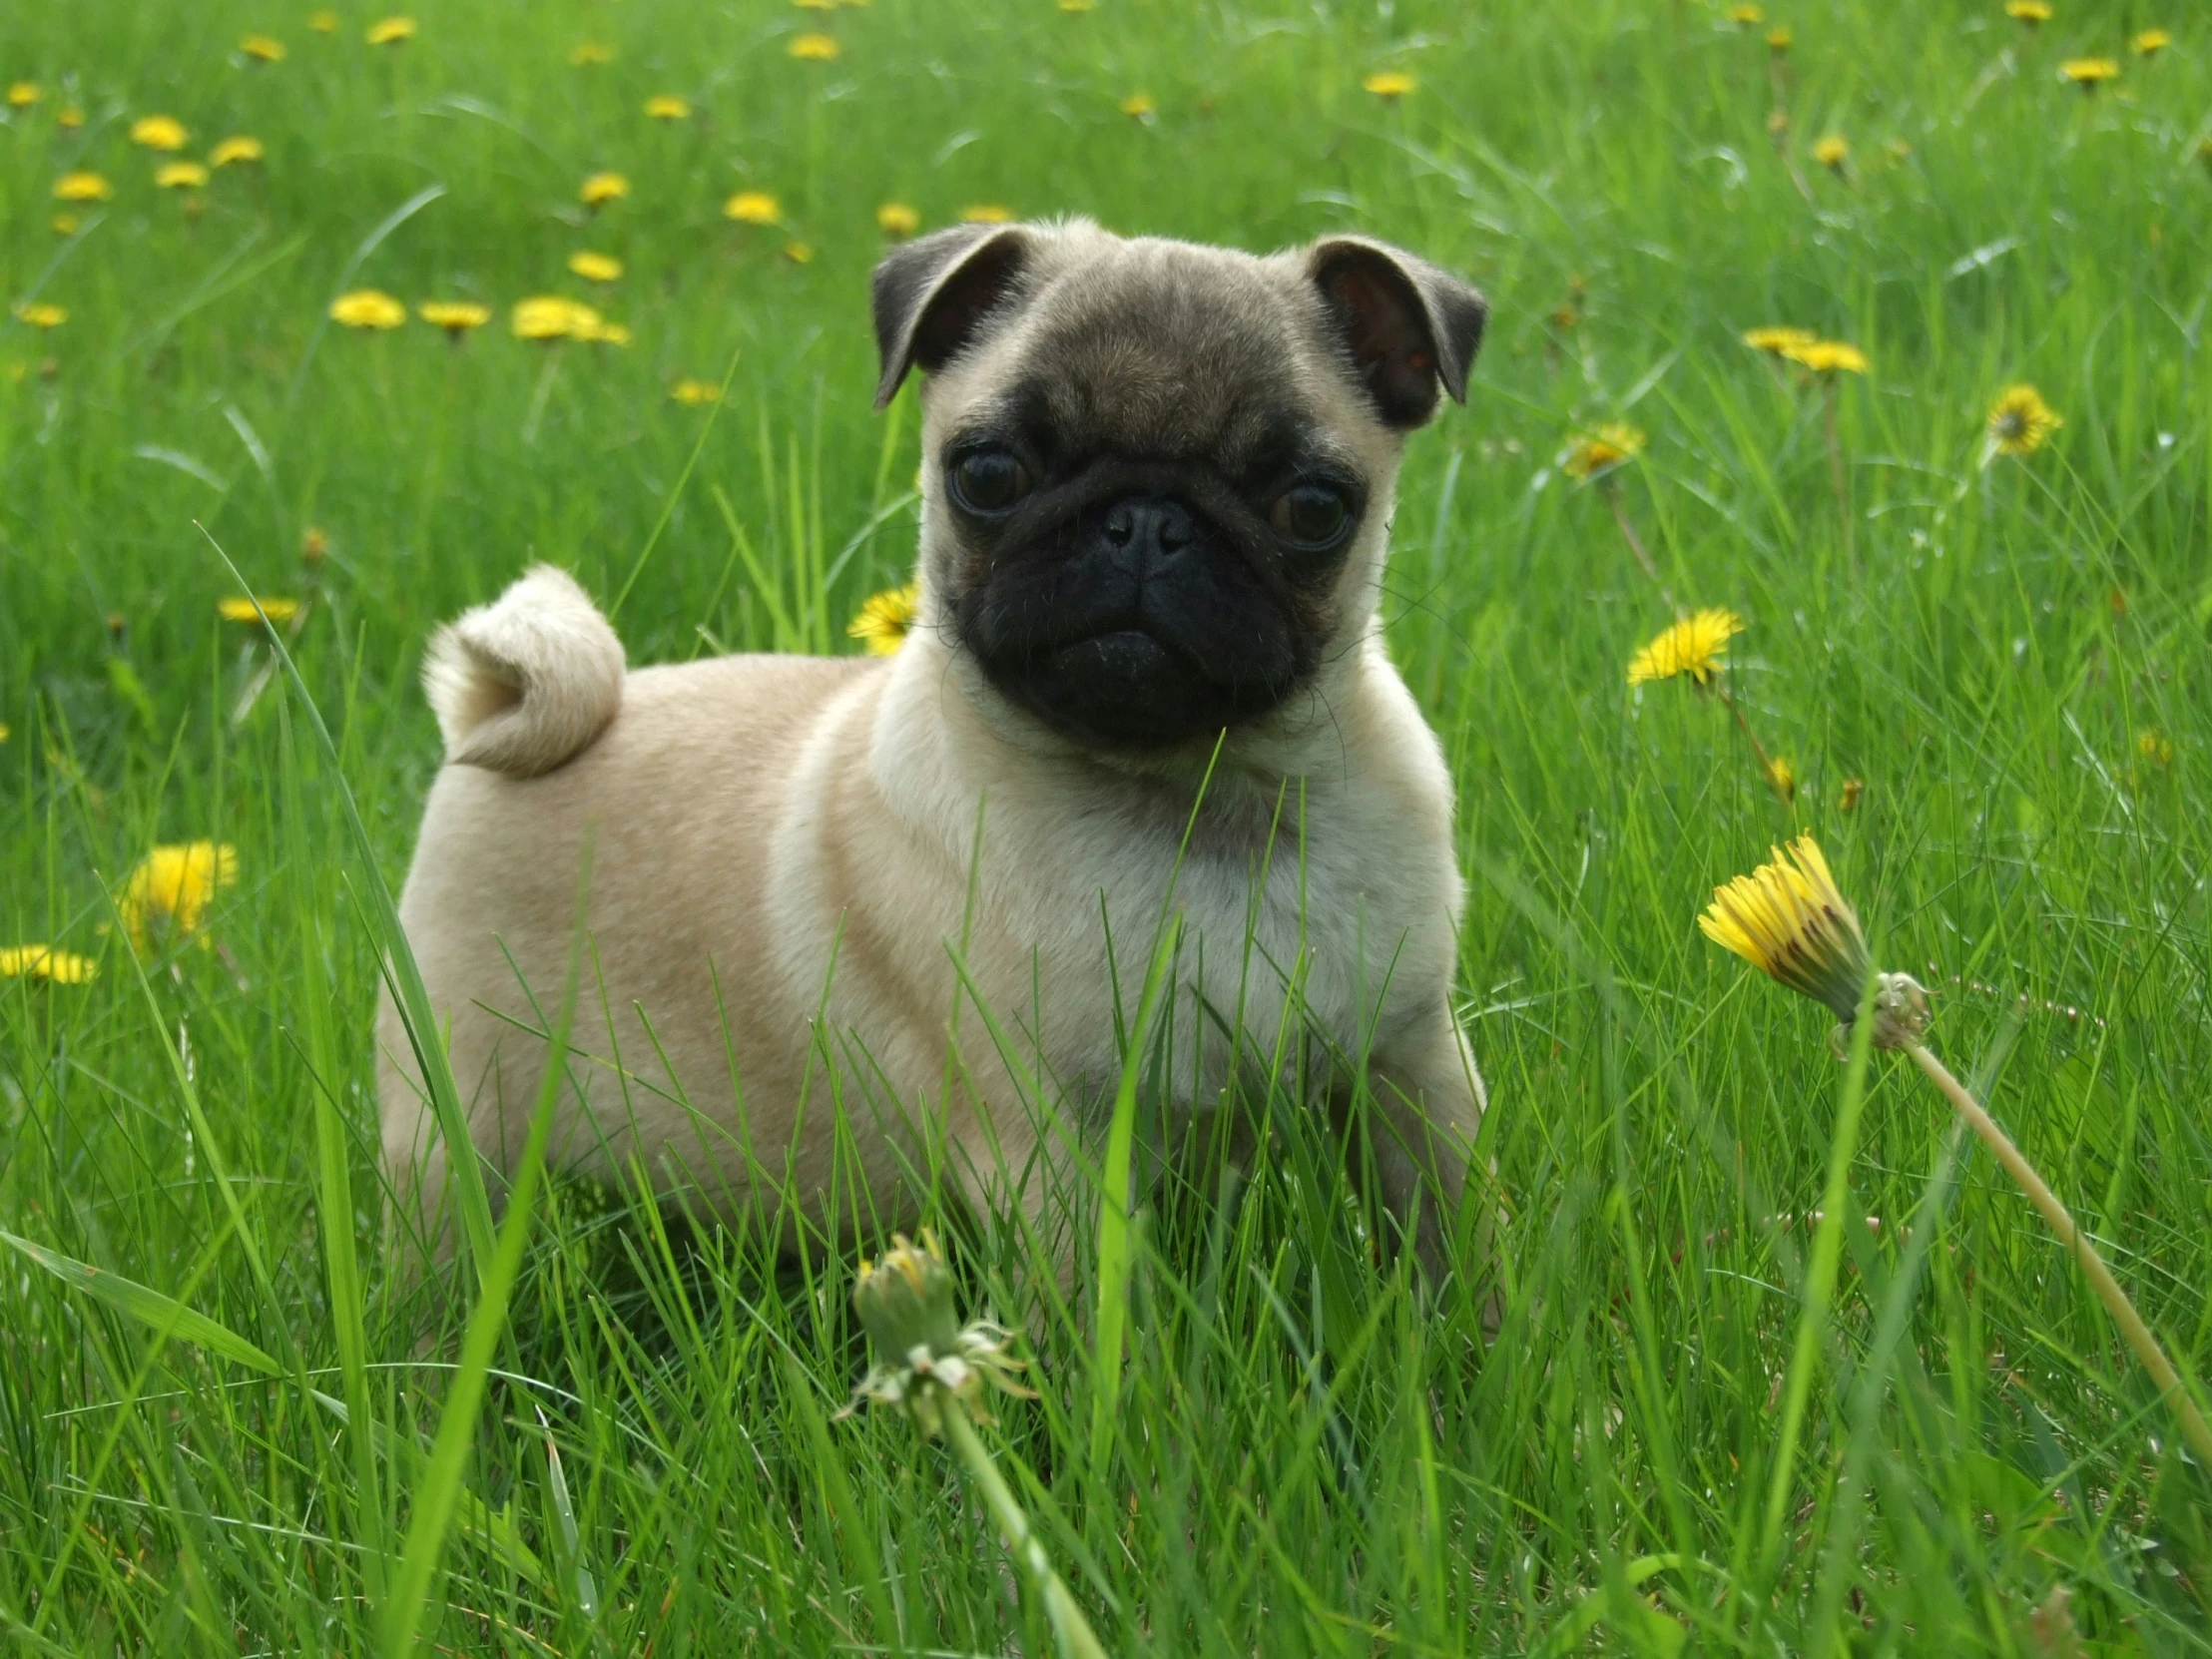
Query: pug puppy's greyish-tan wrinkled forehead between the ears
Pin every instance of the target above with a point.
(1160, 353)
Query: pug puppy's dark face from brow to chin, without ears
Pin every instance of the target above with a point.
(1142, 583)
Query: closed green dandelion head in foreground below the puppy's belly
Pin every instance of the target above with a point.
(906, 1306)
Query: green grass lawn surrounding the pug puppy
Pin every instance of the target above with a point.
(1304, 1454)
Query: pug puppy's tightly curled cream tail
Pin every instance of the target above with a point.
(525, 682)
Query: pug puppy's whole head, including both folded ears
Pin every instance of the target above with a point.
(1158, 468)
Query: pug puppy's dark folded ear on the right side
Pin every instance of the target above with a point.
(1406, 324)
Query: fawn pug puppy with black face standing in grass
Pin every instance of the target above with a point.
(1147, 678)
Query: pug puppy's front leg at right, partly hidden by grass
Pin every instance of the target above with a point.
(1421, 1131)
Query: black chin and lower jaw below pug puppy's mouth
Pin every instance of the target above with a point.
(1125, 689)
